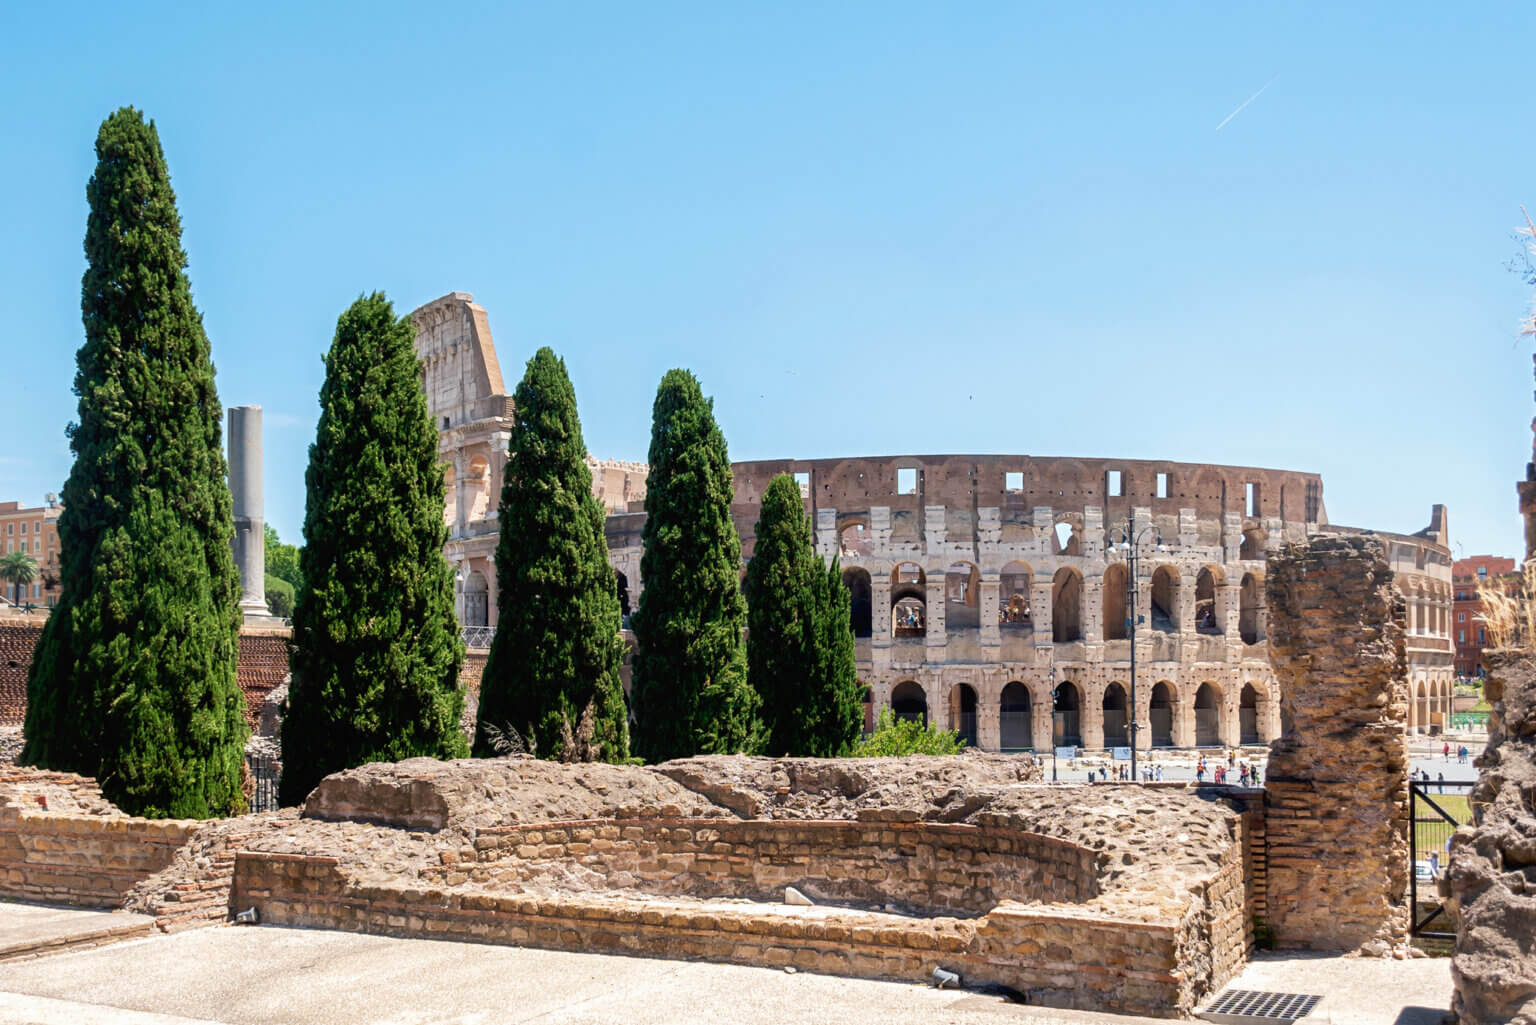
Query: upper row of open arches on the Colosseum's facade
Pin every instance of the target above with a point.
(962, 595)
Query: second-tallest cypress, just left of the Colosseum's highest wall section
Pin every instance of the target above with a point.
(376, 654)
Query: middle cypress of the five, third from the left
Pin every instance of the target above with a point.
(557, 649)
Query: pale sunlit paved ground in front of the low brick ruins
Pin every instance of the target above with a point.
(279, 977)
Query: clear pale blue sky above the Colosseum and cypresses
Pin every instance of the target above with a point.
(869, 228)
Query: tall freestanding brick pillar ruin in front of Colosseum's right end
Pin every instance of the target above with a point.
(1339, 785)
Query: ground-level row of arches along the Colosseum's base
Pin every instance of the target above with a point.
(1022, 721)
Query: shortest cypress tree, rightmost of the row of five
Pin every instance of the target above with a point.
(801, 645)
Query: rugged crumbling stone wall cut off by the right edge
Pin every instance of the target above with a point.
(1494, 861)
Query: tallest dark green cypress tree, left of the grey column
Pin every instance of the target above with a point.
(134, 677)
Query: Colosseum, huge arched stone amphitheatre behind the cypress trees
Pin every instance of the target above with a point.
(1018, 600)
